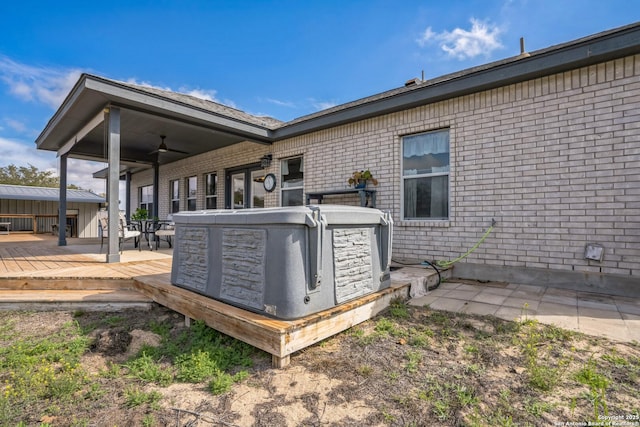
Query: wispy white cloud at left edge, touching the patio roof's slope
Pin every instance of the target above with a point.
(43, 85)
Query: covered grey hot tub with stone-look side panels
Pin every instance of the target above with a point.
(284, 262)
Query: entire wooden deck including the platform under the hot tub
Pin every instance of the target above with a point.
(37, 274)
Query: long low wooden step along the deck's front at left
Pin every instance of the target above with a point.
(63, 300)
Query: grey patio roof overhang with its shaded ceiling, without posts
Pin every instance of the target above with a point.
(191, 127)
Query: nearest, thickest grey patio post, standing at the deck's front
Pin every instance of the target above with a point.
(112, 137)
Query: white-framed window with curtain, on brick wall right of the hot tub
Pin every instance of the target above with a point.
(425, 175)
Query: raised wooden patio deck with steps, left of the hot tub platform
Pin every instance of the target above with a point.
(37, 274)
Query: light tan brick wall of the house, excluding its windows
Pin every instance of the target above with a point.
(555, 161)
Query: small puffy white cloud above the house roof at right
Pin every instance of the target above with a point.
(481, 39)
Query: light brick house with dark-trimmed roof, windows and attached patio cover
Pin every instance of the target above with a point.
(545, 144)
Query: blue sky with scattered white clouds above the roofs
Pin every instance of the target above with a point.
(283, 59)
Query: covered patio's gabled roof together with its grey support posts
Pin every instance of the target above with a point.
(134, 128)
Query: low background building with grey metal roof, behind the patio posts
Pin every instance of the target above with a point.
(36, 210)
